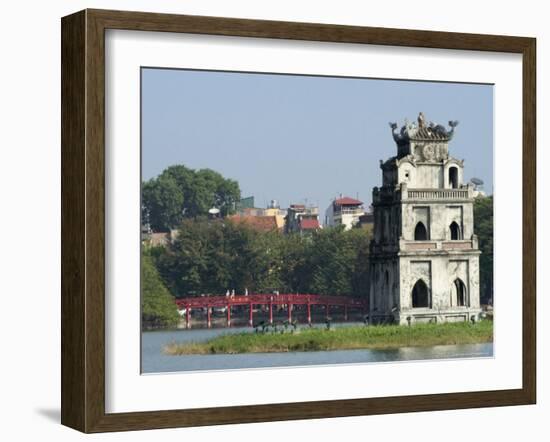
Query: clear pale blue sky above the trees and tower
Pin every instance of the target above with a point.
(301, 138)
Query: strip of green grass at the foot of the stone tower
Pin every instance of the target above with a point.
(345, 338)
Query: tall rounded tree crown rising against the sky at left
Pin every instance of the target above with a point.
(179, 192)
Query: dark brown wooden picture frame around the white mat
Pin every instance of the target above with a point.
(83, 216)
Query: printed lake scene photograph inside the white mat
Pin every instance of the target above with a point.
(300, 220)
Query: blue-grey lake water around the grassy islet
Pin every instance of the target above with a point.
(154, 361)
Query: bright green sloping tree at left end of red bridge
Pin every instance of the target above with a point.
(158, 308)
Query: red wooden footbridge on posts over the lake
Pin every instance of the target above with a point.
(287, 301)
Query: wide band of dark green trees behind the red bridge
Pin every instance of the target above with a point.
(213, 256)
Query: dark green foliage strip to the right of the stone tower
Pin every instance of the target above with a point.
(483, 227)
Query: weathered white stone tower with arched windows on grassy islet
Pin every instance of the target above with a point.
(424, 263)
